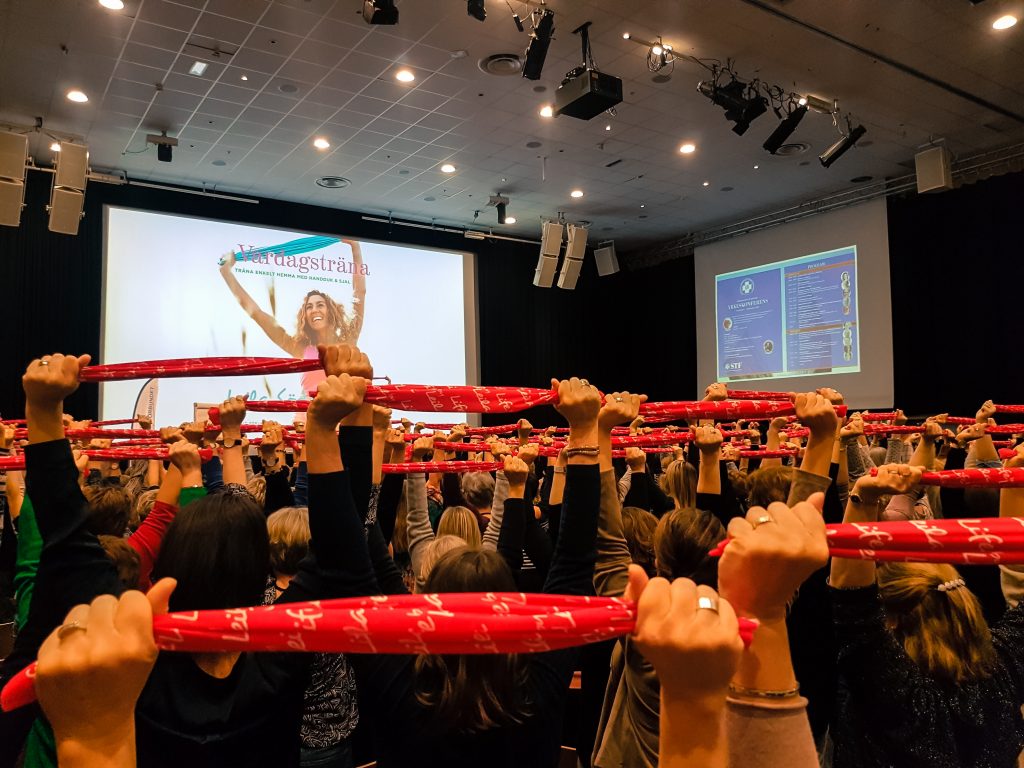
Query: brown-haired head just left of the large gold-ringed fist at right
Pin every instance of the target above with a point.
(682, 541)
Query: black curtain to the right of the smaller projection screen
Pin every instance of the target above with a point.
(957, 272)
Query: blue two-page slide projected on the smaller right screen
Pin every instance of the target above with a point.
(793, 318)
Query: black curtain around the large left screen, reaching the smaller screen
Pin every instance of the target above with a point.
(628, 331)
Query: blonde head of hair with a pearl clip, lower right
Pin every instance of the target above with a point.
(938, 621)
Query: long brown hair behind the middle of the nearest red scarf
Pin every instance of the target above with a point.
(473, 693)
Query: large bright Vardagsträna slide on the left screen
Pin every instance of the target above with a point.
(181, 287)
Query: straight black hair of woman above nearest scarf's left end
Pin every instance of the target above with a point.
(219, 549)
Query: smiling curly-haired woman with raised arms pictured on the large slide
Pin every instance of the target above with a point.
(321, 320)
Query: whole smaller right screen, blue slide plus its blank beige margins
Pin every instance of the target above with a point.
(799, 307)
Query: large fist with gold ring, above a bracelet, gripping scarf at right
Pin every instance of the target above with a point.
(771, 553)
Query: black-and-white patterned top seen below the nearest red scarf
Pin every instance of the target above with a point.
(331, 712)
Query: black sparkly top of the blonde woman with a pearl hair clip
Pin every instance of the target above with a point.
(890, 714)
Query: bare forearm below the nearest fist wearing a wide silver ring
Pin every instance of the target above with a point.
(693, 734)
